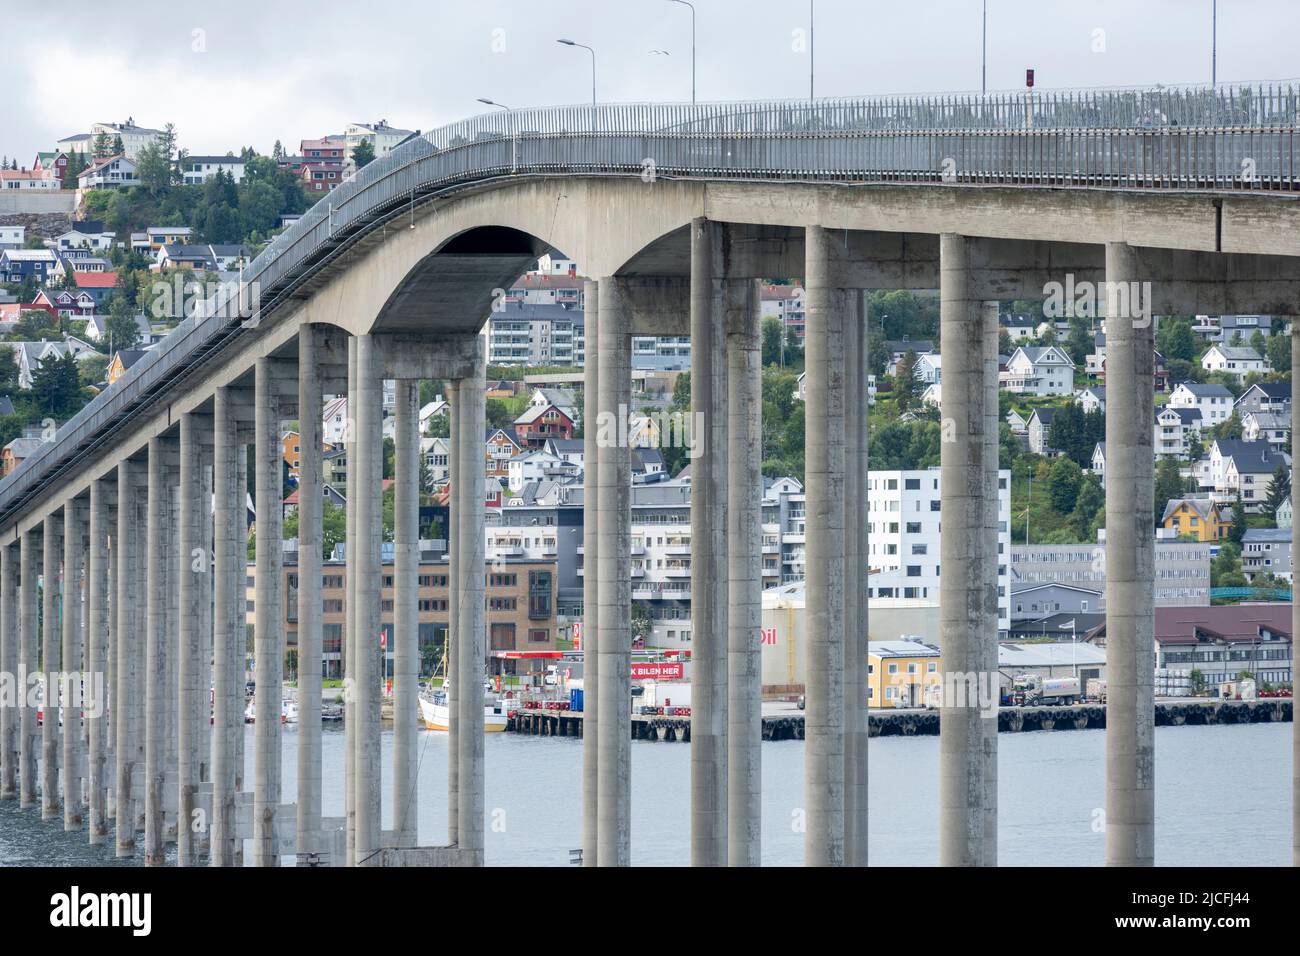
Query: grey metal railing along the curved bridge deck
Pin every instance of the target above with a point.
(1227, 139)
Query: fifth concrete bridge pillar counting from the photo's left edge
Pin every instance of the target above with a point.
(97, 660)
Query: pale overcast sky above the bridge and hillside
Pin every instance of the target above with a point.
(250, 72)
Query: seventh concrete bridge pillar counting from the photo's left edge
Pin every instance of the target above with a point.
(158, 553)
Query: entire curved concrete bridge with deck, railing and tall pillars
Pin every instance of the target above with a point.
(1138, 202)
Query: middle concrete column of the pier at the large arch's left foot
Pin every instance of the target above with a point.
(406, 612)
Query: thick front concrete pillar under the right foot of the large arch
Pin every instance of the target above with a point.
(614, 503)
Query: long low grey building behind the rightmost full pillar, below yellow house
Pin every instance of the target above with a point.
(1182, 569)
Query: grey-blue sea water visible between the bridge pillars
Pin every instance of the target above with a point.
(1223, 797)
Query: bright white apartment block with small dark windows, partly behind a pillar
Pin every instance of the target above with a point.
(903, 527)
